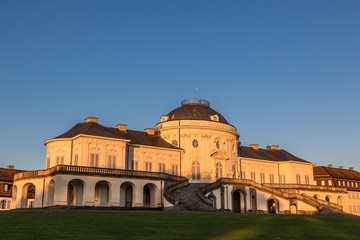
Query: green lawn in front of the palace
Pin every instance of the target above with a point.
(86, 225)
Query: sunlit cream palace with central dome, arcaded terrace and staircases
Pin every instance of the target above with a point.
(192, 148)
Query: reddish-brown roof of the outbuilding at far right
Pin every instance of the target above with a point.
(321, 171)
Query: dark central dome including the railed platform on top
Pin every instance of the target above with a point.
(195, 109)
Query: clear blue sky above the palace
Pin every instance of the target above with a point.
(283, 73)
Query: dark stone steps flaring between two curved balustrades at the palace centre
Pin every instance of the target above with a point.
(189, 199)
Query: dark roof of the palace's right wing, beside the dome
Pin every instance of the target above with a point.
(268, 154)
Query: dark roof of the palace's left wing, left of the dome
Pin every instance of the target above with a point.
(134, 137)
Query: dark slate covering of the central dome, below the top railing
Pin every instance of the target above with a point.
(194, 111)
